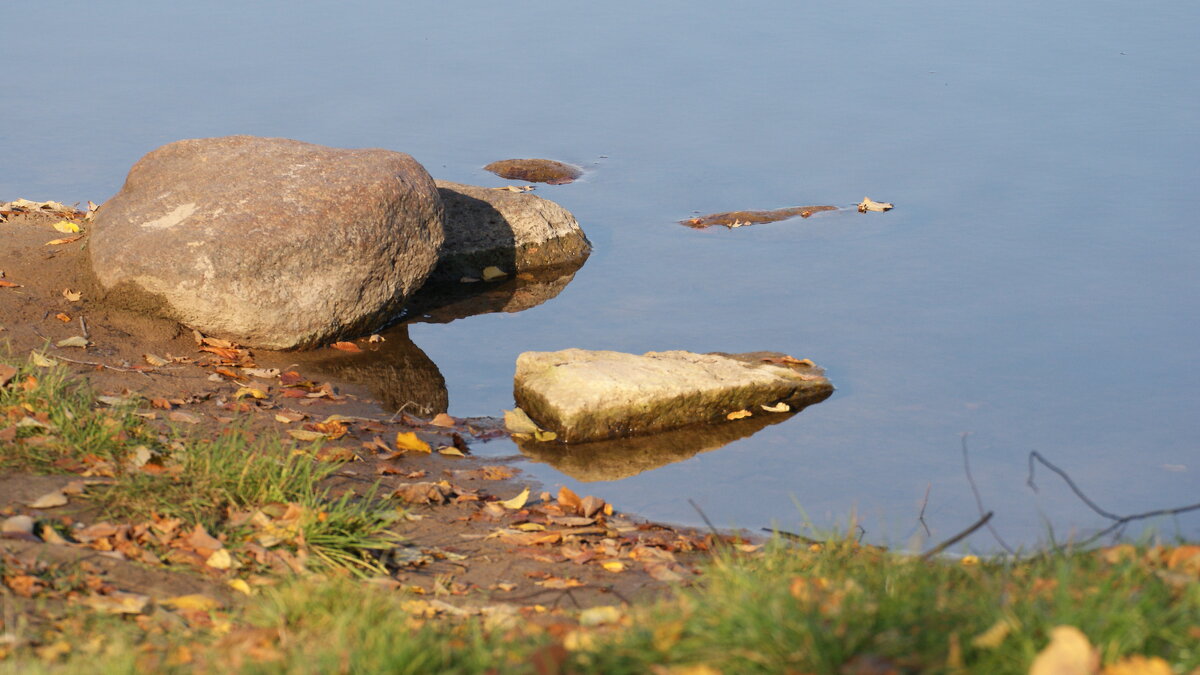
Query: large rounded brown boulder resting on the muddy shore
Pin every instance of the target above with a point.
(268, 242)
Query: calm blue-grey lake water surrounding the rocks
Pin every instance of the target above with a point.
(1036, 285)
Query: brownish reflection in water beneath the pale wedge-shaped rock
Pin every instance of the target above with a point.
(622, 458)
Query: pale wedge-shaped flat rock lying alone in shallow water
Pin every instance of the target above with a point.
(585, 396)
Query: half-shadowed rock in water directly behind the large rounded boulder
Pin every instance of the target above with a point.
(512, 231)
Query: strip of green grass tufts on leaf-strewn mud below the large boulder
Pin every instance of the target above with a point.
(206, 477)
